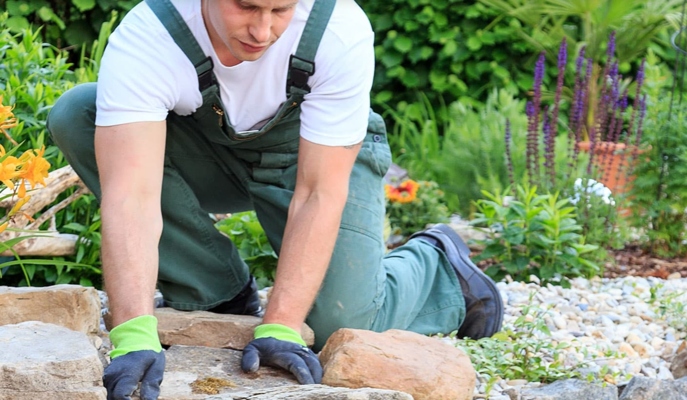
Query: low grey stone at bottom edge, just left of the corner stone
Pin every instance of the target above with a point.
(571, 389)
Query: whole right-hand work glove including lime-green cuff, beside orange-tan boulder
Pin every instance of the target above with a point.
(280, 346)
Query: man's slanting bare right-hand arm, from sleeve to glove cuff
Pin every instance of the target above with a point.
(311, 230)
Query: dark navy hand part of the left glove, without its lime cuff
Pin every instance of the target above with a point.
(124, 373)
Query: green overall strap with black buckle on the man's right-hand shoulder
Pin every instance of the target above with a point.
(302, 64)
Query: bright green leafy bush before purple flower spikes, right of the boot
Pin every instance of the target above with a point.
(533, 234)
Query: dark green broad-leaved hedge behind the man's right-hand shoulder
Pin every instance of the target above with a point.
(448, 48)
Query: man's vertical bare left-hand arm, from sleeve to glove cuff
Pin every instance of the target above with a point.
(130, 161)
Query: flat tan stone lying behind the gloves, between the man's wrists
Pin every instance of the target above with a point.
(202, 328)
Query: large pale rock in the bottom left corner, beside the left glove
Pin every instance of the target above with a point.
(45, 361)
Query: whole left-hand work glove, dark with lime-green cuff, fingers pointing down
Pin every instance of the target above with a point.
(137, 357)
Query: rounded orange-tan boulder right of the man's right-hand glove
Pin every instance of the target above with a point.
(398, 360)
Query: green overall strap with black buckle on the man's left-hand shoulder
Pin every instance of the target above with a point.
(177, 28)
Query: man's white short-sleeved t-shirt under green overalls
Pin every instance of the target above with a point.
(144, 74)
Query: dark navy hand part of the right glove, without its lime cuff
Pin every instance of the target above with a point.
(293, 357)
